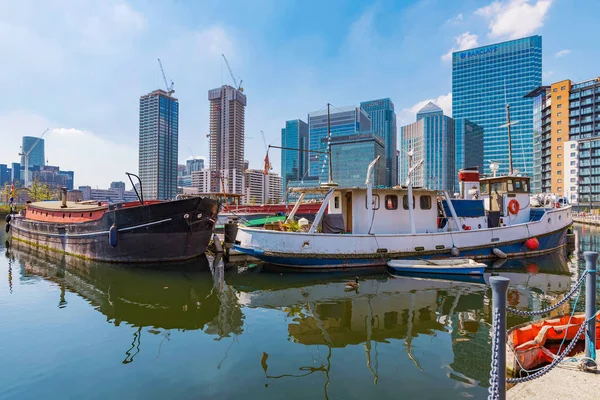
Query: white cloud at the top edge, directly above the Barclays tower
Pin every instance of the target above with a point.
(514, 18)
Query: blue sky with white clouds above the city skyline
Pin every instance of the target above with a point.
(79, 67)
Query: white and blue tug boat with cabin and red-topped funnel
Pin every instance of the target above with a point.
(367, 227)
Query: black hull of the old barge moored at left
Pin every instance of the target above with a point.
(168, 231)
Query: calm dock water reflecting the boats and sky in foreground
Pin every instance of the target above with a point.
(74, 329)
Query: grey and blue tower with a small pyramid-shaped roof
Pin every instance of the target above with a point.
(431, 139)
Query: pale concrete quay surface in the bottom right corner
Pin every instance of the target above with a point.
(563, 382)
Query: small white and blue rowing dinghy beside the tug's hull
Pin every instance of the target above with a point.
(455, 266)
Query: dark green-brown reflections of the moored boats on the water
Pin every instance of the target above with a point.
(393, 329)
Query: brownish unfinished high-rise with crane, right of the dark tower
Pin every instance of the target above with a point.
(227, 119)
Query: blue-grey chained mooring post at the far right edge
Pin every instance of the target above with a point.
(590, 306)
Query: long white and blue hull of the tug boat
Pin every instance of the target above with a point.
(333, 251)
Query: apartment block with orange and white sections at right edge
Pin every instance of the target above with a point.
(566, 116)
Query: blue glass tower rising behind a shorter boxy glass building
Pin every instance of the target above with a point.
(344, 121)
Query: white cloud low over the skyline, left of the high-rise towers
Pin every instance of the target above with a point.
(95, 160)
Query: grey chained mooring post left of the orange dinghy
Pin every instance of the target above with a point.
(498, 382)
